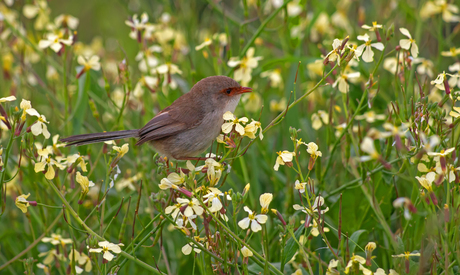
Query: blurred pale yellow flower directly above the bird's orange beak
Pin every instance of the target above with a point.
(246, 65)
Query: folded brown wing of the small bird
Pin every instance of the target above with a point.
(172, 120)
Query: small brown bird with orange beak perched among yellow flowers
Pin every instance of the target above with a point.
(188, 126)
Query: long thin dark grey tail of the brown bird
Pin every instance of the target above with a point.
(99, 137)
